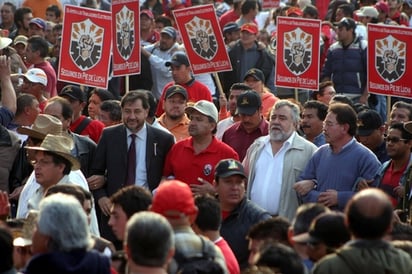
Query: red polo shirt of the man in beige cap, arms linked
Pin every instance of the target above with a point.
(184, 165)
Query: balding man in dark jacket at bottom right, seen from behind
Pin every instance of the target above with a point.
(369, 219)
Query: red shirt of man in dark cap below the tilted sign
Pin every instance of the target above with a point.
(196, 91)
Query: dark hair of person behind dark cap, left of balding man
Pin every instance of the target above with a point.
(305, 215)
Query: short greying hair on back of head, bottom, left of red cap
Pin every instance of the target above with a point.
(149, 237)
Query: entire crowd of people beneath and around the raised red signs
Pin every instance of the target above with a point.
(171, 172)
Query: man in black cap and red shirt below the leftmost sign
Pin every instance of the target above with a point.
(81, 124)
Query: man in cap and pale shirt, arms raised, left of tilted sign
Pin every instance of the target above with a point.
(158, 54)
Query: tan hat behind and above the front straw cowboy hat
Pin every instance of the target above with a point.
(43, 125)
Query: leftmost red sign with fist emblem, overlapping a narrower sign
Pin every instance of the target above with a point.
(85, 47)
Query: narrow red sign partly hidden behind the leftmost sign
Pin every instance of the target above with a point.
(126, 37)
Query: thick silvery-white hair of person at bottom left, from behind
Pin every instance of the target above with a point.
(63, 219)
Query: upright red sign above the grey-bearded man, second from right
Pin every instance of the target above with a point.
(297, 54)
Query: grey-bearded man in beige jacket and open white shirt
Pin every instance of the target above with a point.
(274, 162)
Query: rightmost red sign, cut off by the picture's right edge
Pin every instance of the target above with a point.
(389, 70)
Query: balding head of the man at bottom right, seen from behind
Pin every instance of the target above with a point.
(369, 214)
